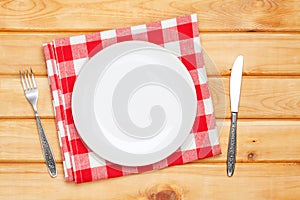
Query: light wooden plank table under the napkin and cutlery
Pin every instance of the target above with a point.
(266, 32)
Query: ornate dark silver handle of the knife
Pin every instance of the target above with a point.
(231, 154)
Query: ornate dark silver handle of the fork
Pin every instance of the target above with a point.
(47, 152)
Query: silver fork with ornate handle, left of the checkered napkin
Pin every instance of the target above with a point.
(31, 94)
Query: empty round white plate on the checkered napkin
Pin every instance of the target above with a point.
(134, 103)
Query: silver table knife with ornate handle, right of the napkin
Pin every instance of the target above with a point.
(235, 90)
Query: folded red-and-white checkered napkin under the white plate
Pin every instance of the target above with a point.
(64, 59)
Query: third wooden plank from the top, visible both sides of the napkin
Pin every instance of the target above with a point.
(261, 97)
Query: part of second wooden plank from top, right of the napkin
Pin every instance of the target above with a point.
(264, 53)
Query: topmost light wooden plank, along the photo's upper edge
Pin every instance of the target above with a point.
(229, 15)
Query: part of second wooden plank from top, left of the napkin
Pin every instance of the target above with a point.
(20, 51)
